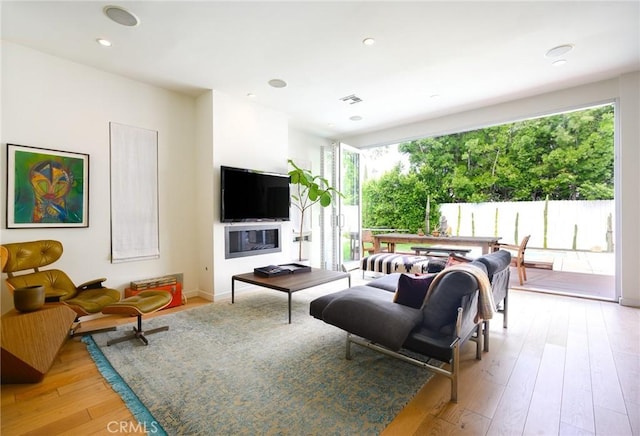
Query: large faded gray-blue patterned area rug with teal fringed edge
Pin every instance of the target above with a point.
(230, 369)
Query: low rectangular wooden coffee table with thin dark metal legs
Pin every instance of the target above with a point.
(290, 283)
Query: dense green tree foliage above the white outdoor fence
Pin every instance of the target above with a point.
(563, 157)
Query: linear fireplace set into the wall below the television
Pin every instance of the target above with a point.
(251, 240)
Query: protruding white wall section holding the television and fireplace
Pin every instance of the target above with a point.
(246, 135)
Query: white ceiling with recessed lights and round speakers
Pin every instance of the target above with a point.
(471, 53)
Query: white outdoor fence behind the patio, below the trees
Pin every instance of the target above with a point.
(579, 225)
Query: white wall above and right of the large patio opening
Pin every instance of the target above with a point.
(625, 91)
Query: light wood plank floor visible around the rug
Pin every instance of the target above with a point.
(564, 366)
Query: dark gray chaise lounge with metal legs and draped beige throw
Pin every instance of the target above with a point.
(437, 329)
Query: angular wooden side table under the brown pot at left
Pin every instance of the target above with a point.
(31, 341)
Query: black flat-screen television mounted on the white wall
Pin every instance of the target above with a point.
(250, 195)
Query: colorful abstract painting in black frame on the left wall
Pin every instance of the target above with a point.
(46, 188)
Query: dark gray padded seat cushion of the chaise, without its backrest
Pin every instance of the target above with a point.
(371, 313)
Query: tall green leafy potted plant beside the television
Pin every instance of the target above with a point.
(308, 190)
